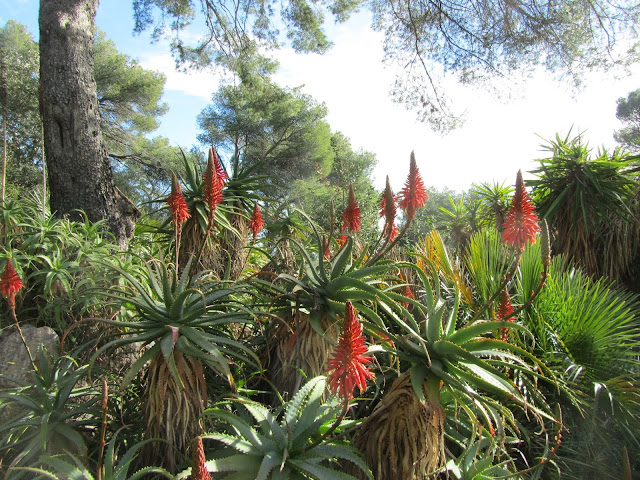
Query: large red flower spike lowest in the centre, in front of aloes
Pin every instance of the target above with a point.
(347, 366)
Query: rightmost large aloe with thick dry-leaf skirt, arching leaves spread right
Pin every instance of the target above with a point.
(446, 363)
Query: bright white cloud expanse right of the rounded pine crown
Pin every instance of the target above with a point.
(497, 140)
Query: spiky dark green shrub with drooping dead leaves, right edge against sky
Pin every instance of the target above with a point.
(591, 205)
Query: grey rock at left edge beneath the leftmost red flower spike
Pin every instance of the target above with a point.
(14, 360)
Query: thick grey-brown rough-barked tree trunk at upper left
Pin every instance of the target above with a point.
(80, 174)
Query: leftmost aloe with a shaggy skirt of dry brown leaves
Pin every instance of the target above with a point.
(185, 323)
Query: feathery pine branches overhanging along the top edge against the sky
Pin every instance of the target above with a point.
(474, 41)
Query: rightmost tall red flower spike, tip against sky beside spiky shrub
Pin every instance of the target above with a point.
(521, 225)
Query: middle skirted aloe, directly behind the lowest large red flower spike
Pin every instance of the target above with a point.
(308, 307)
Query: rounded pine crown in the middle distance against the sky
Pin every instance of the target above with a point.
(257, 122)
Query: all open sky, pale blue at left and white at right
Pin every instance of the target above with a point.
(497, 139)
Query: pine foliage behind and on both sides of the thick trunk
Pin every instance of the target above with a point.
(129, 101)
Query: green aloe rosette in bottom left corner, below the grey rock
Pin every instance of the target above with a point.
(47, 414)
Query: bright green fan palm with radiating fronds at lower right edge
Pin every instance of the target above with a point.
(587, 331)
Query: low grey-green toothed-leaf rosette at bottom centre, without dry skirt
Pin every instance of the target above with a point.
(290, 443)
